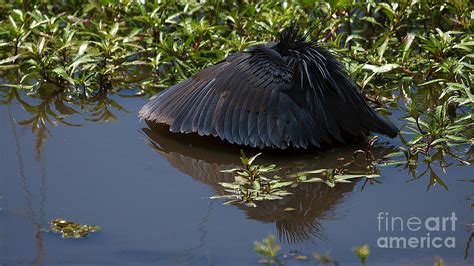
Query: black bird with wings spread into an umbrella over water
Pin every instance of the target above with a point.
(289, 93)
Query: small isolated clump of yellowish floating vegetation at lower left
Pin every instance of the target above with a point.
(69, 229)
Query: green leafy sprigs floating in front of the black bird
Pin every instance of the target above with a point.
(250, 185)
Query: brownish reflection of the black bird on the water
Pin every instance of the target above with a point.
(204, 158)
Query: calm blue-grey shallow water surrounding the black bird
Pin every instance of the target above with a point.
(150, 194)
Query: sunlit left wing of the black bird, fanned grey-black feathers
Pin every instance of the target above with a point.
(242, 99)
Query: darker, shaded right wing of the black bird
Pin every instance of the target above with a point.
(332, 98)
